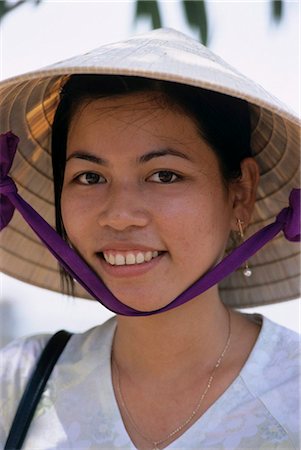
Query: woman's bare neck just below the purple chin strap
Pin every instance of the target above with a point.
(174, 341)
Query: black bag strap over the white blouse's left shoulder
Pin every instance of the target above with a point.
(35, 388)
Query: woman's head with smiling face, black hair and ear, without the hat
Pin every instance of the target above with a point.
(143, 161)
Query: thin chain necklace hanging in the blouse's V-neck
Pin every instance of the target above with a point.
(177, 430)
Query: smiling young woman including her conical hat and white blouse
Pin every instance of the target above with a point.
(156, 173)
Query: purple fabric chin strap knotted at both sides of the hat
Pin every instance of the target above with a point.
(288, 221)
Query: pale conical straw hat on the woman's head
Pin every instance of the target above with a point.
(27, 107)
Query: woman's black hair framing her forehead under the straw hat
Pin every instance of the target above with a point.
(223, 122)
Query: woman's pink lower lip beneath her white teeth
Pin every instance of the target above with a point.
(132, 270)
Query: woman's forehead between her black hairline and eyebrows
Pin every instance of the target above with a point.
(128, 127)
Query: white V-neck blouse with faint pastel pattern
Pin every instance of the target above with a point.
(78, 410)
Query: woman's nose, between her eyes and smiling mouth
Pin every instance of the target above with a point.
(124, 207)
